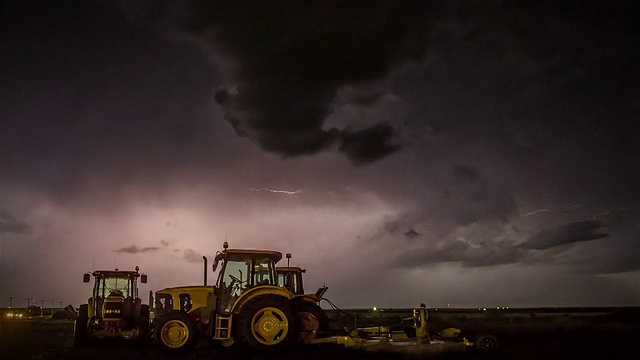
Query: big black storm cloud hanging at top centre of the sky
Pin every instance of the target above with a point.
(292, 58)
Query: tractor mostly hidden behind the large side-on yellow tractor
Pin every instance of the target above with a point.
(313, 319)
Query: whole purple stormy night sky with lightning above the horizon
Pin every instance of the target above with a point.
(482, 154)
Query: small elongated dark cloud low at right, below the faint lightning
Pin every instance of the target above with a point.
(566, 234)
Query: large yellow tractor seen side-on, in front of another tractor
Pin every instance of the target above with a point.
(245, 307)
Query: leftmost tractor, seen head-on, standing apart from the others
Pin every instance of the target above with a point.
(114, 309)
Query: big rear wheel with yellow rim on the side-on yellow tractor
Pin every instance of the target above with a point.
(267, 323)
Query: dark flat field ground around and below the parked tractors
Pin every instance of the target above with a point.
(522, 336)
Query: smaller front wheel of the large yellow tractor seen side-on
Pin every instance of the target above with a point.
(176, 332)
